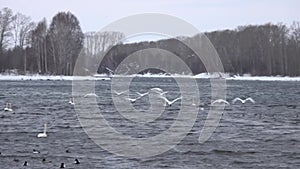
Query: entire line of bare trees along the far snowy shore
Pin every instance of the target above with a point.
(28, 47)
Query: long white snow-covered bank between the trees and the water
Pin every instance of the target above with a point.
(105, 77)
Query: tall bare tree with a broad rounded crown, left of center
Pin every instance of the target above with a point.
(66, 38)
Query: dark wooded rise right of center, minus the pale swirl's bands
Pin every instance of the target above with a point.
(256, 49)
